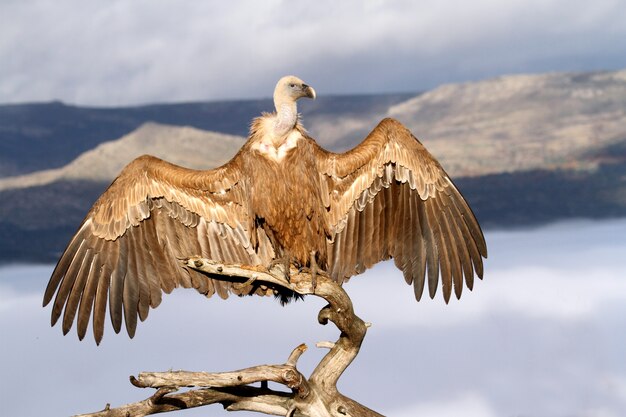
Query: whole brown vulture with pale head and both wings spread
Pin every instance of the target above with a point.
(282, 195)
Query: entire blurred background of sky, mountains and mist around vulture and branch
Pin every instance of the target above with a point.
(523, 103)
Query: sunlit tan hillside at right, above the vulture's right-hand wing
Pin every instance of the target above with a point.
(521, 122)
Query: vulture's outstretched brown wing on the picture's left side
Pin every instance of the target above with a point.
(128, 249)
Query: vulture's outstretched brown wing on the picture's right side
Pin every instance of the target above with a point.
(389, 197)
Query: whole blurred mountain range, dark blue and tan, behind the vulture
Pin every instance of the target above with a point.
(523, 149)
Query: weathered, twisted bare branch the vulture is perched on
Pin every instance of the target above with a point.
(316, 396)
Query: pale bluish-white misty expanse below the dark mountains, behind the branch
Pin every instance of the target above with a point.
(541, 336)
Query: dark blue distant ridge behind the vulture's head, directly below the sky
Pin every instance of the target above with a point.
(40, 136)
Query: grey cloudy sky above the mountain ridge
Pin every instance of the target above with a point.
(128, 52)
